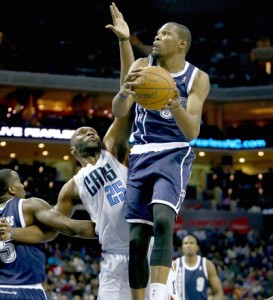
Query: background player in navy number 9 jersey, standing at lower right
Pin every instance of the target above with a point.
(194, 273)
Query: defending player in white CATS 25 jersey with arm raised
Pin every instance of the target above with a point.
(100, 186)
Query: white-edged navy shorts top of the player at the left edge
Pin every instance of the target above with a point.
(22, 292)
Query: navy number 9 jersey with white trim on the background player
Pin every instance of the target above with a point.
(192, 282)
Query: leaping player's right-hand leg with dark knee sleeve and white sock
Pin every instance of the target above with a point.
(162, 253)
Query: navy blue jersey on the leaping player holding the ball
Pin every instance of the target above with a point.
(154, 126)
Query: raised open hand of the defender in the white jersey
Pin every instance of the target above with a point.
(119, 26)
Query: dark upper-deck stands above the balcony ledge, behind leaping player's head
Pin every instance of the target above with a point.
(222, 43)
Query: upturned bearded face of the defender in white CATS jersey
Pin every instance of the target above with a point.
(87, 141)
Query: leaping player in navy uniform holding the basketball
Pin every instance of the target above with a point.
(160, 161)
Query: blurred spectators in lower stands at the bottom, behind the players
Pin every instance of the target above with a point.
(244, 264)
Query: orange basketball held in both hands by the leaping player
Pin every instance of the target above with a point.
(154, 87)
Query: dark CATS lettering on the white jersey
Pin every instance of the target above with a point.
(97, 178)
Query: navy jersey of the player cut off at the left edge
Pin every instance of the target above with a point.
(20, 264)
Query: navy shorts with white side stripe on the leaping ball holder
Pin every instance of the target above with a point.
(156, 177)
